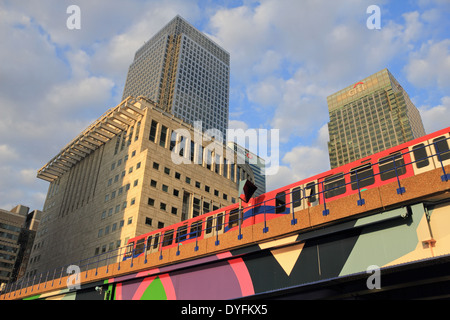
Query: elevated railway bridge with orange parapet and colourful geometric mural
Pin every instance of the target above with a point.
(394, 245)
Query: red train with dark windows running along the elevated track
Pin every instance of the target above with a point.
(411, 158)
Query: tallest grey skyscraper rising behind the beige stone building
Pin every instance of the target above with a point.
(184, 73)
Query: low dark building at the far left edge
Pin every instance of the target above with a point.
(17, 231)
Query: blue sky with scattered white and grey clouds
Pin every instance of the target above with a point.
(287, 56)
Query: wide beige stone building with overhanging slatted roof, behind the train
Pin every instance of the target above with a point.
(122, 177)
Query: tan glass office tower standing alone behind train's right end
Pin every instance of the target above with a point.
(369, 116)
